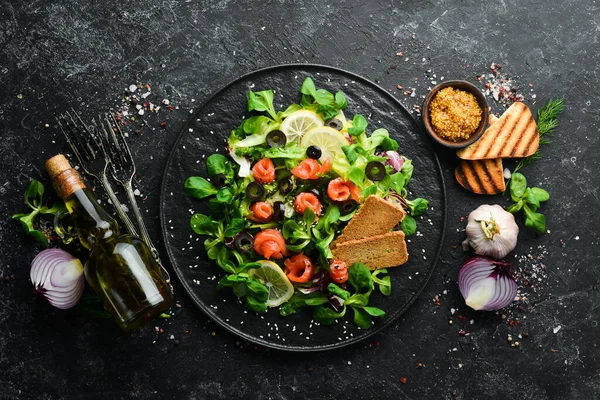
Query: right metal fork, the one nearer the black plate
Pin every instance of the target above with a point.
(123, 170)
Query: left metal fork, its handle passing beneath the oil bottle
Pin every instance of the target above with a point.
(87, 146)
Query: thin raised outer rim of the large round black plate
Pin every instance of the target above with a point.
(207, 310)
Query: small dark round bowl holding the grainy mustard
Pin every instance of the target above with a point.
(469, 88)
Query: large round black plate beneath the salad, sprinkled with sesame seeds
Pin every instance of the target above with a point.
(206, 133)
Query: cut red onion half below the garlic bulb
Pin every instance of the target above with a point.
(486, 284)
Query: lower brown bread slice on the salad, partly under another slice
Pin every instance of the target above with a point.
(376, 252)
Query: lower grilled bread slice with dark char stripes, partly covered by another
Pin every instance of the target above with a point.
(481, 176)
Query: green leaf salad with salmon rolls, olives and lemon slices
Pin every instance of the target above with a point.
(290, 183)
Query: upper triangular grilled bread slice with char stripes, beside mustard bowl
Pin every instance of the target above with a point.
(514, 135)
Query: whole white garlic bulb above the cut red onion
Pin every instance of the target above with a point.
(492, 231)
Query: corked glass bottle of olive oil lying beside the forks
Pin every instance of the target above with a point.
(120, 268)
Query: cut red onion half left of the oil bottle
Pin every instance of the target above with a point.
(58, 276)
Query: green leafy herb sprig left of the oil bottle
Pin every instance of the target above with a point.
(34, 198)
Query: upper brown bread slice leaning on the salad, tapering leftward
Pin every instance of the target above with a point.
(376, 216)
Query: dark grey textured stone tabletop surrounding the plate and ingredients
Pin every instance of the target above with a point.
(84, 54)
